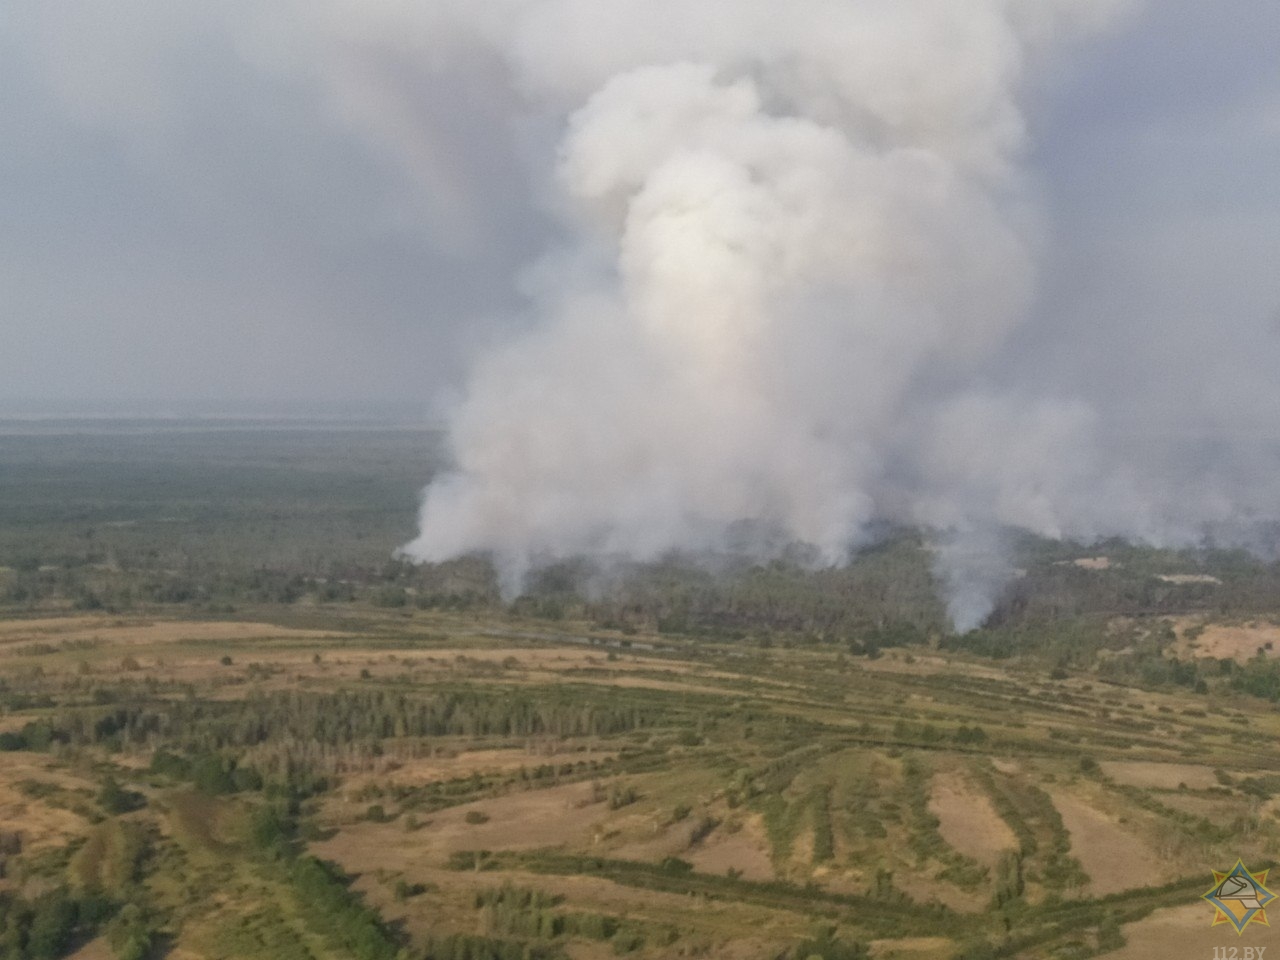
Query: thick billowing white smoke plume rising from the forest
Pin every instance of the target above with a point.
(801, 234)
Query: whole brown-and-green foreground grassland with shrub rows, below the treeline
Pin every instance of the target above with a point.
(705, 799)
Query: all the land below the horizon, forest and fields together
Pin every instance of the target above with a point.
(388, 762)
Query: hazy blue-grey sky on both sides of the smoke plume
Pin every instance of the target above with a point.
(207, 202)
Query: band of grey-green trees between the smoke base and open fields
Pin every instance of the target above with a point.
(886, 596)
